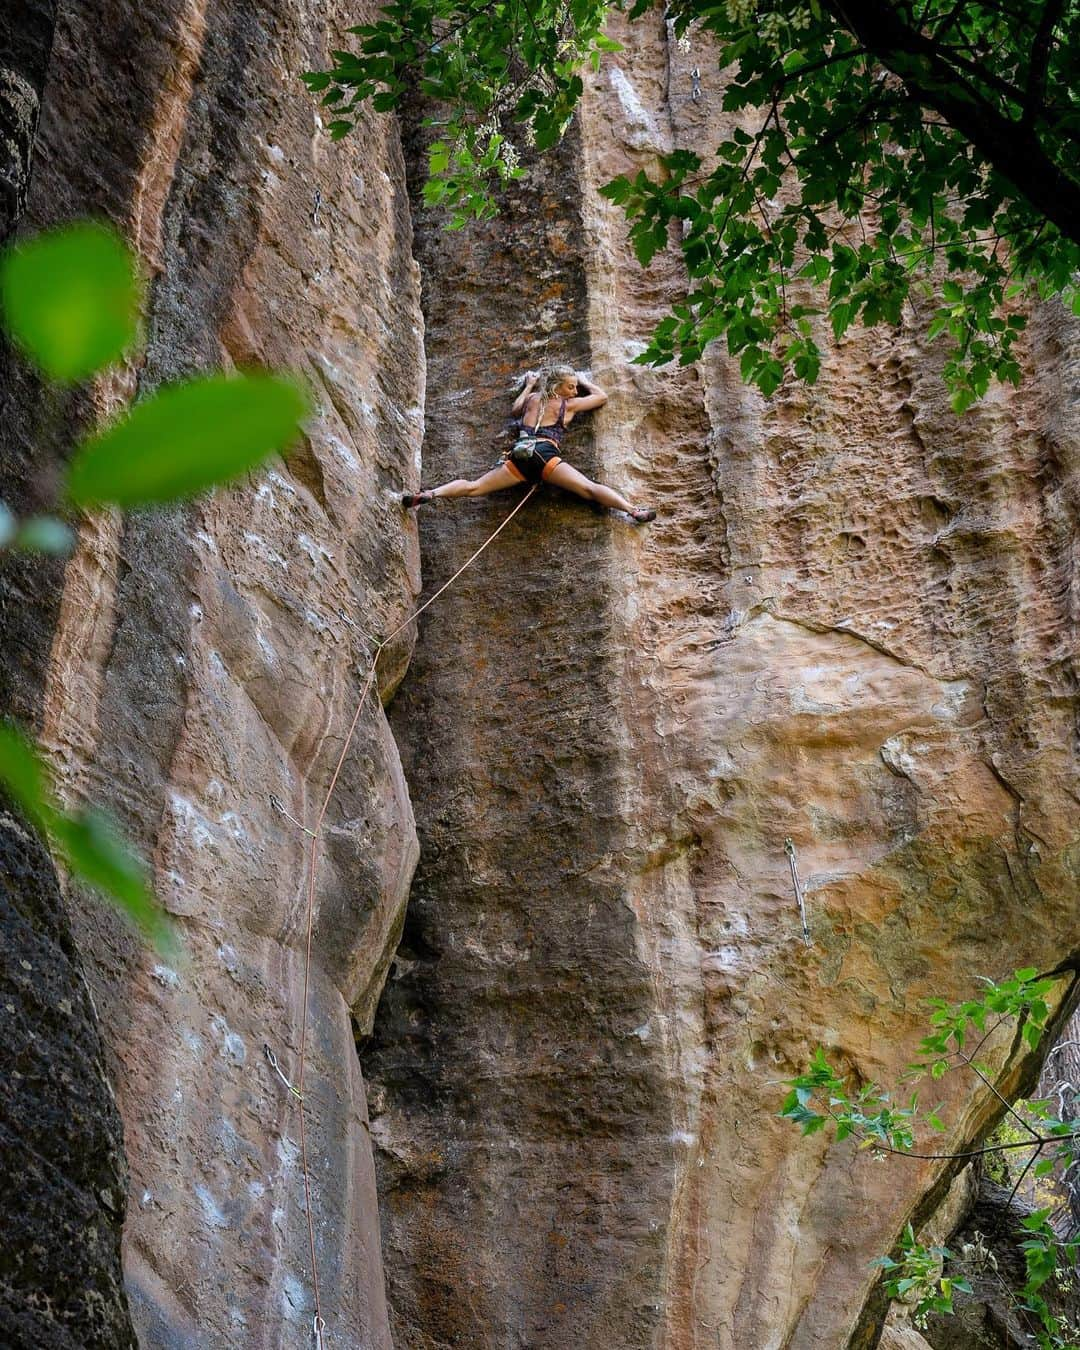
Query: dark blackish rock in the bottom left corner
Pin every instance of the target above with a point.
(65, 1179)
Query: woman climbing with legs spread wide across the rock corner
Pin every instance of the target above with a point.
(543, 411)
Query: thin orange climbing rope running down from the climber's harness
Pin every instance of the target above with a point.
(318, 1324)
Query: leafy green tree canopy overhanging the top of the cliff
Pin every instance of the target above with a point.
(893, 152)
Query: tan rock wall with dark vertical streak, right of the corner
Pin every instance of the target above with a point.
(851, 627)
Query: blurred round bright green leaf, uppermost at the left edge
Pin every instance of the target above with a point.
(72, 300)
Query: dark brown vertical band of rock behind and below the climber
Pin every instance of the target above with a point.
(523, 1132)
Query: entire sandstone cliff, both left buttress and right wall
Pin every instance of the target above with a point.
(851, 626)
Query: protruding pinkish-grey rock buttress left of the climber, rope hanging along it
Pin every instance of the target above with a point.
(205, 665)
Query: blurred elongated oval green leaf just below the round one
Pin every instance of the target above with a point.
(186, 439)
